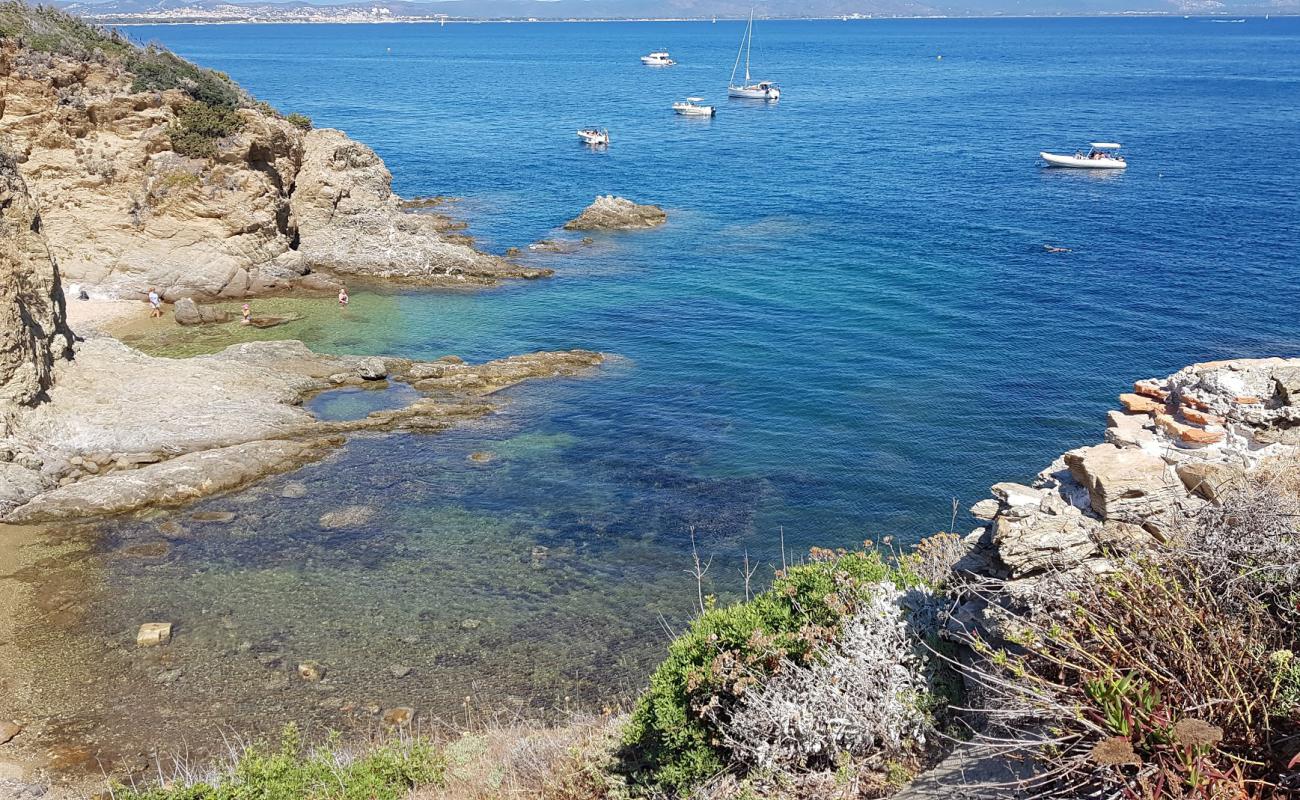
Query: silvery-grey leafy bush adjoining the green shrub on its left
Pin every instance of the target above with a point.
(859, 699)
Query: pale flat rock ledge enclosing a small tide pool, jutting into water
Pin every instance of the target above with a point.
(124, 431)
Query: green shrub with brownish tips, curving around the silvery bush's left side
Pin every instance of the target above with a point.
(673, 741)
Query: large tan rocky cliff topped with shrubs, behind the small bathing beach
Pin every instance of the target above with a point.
(99, 132)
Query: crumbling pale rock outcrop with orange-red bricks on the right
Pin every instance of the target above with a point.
(1178, 444)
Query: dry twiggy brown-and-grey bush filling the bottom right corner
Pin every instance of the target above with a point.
(1171, 676)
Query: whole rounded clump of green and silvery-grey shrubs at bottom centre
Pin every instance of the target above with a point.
(723, 699)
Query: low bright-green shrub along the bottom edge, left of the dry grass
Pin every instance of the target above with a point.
(292, 773)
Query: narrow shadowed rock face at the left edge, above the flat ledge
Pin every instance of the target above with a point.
(33, 328)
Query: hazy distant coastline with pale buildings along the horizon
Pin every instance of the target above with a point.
(300, 11)
